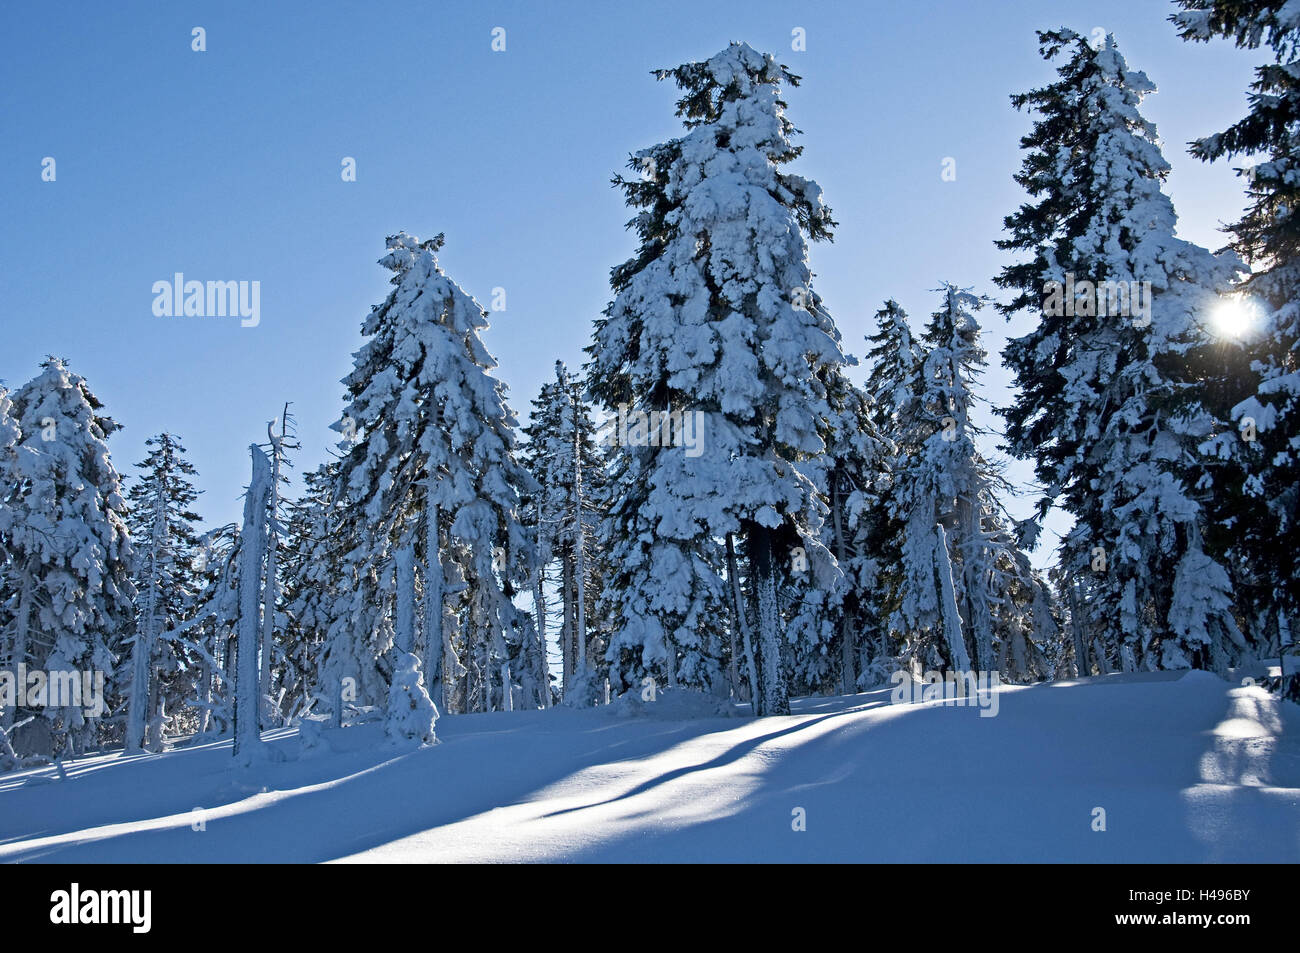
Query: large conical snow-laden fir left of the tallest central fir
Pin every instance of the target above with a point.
(434, 469)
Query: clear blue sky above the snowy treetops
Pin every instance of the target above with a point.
(226, 166)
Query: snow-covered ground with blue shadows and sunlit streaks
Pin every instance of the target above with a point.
(1186, 768)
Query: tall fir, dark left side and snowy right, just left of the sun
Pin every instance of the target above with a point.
(1107, 406)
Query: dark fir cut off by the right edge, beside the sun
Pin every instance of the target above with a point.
(1259, 509)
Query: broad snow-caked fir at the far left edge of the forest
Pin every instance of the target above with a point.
(68, 570)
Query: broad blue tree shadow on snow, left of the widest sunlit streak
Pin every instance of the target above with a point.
(319, 809)
